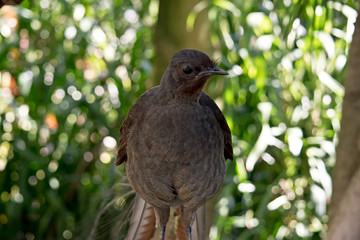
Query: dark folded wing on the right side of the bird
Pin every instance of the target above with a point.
(206, 101)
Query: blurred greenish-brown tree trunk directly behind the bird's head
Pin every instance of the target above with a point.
(171, 34)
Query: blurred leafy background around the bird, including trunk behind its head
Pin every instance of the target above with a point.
(70, 70)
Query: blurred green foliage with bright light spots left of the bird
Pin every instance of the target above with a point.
(69, 73)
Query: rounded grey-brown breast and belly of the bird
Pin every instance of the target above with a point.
(174, 153)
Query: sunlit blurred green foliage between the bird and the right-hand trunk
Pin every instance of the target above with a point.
(283, 102)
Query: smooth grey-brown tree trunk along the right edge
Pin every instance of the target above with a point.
(344, 210)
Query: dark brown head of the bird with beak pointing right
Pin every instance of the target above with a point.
(188, 72)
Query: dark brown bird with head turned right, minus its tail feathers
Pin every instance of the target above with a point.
(175, 140)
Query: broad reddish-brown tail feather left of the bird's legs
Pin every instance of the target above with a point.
(142, 223)
